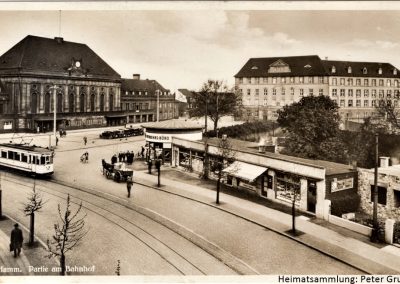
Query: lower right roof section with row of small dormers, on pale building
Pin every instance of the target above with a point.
(357, 69)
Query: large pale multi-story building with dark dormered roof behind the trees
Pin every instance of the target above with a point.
(267, 84)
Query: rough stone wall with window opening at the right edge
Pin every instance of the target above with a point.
(391, 183)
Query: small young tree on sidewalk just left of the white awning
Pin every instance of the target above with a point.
(226, 156)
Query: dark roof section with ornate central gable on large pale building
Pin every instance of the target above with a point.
(309, 65)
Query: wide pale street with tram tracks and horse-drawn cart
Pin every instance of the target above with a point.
(119, 231)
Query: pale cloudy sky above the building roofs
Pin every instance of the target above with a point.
(182, 46)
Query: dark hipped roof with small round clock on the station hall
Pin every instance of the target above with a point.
(45, 56)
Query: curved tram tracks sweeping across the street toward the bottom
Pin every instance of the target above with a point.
(165, 251)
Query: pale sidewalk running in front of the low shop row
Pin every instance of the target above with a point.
(339, 243)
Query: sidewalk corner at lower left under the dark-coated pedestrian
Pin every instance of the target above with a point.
(32, 260)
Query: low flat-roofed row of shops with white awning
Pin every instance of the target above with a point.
(315, 185)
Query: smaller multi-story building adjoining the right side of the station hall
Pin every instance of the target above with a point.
(139, 100)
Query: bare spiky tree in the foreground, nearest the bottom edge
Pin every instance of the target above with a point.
(68, 234)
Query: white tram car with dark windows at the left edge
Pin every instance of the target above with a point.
(30, 159)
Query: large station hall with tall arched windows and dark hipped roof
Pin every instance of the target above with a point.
(40, 75)
